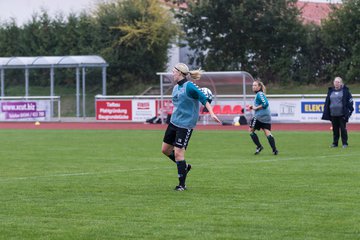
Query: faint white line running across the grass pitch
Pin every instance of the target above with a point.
(253, 161)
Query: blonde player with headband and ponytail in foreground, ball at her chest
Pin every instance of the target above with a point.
(185, 97)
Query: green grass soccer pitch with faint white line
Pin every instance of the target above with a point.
(116, 184)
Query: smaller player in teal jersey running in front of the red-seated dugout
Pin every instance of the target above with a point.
(262, 118)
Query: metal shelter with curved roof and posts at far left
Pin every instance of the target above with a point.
(52, 62)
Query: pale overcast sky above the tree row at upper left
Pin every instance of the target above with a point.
(22, 10)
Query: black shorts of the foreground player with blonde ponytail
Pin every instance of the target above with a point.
(176, 136)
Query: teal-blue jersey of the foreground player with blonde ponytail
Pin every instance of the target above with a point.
(186, 97)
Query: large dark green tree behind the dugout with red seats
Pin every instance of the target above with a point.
(262, 37)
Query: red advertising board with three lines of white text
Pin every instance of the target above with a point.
(114, 110)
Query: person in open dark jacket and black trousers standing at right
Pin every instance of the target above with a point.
(338, 109)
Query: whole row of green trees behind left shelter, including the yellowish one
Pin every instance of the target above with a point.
(133, 37)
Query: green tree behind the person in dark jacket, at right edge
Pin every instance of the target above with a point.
(341, 35)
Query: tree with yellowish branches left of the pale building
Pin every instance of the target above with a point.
(137, 35)
